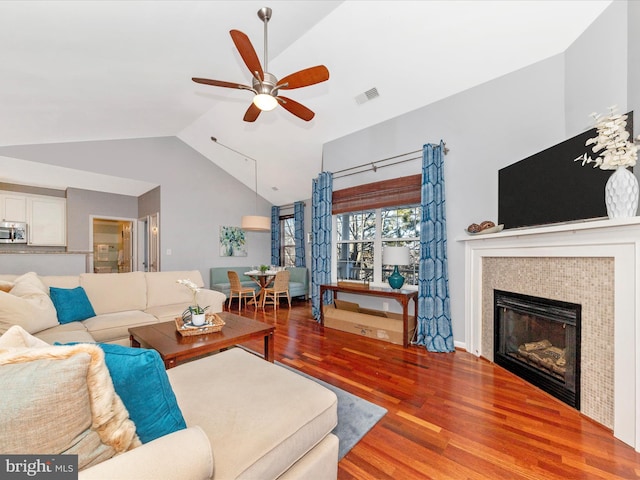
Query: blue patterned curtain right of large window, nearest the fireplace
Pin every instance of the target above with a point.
(434, 313)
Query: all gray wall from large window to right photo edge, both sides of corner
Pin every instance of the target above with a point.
(496, 124)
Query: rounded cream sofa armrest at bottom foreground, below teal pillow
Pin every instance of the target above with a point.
(185, 454)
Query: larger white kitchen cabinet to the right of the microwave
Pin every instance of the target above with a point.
(47, 219)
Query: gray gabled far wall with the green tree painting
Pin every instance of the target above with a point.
(196, 196)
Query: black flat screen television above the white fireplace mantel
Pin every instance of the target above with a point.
(550, 187)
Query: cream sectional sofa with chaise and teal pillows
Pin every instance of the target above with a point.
(245, 418)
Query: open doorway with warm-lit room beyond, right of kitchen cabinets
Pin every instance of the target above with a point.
(113, 245)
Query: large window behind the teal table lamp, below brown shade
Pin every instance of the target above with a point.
(361, 236)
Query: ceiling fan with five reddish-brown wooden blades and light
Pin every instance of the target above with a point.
(265, 85)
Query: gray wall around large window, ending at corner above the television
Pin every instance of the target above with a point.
(486, 128)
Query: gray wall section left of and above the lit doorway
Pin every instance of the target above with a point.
(81, 204)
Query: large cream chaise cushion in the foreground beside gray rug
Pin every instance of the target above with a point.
(227, 414)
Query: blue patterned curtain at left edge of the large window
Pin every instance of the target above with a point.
(321, 245)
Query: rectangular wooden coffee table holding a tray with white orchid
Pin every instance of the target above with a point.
(174, 348)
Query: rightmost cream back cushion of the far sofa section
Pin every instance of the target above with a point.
(163, 289)
